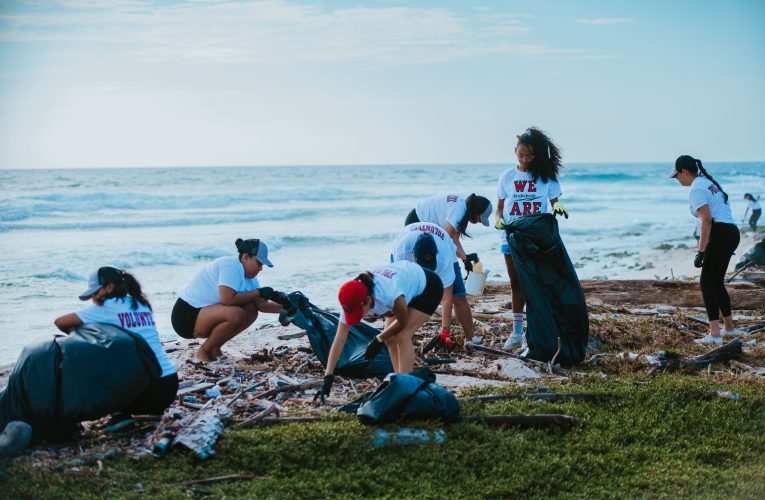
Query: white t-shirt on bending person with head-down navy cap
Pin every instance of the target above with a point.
(403, 249)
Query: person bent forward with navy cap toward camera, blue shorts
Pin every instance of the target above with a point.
(438, 254)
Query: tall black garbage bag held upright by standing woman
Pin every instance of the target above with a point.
(555, 304)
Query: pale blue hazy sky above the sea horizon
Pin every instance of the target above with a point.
(134, 83)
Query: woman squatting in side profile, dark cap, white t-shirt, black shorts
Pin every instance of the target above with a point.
(224, 298)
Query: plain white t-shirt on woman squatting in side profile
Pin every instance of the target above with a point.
(203, 291)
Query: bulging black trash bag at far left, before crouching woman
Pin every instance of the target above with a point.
(96, 370)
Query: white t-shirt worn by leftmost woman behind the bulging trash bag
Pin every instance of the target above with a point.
(119, 312)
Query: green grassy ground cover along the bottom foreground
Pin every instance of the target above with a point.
(659, 436)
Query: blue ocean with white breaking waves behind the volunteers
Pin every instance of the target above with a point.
(323, 225)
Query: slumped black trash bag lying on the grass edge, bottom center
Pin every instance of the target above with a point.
(409, 396)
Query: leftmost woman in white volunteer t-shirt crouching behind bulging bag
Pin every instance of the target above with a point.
(118, 300)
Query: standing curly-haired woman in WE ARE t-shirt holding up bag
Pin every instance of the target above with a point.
(525, 190)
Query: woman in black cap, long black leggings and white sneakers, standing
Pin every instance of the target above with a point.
(719, 238)
